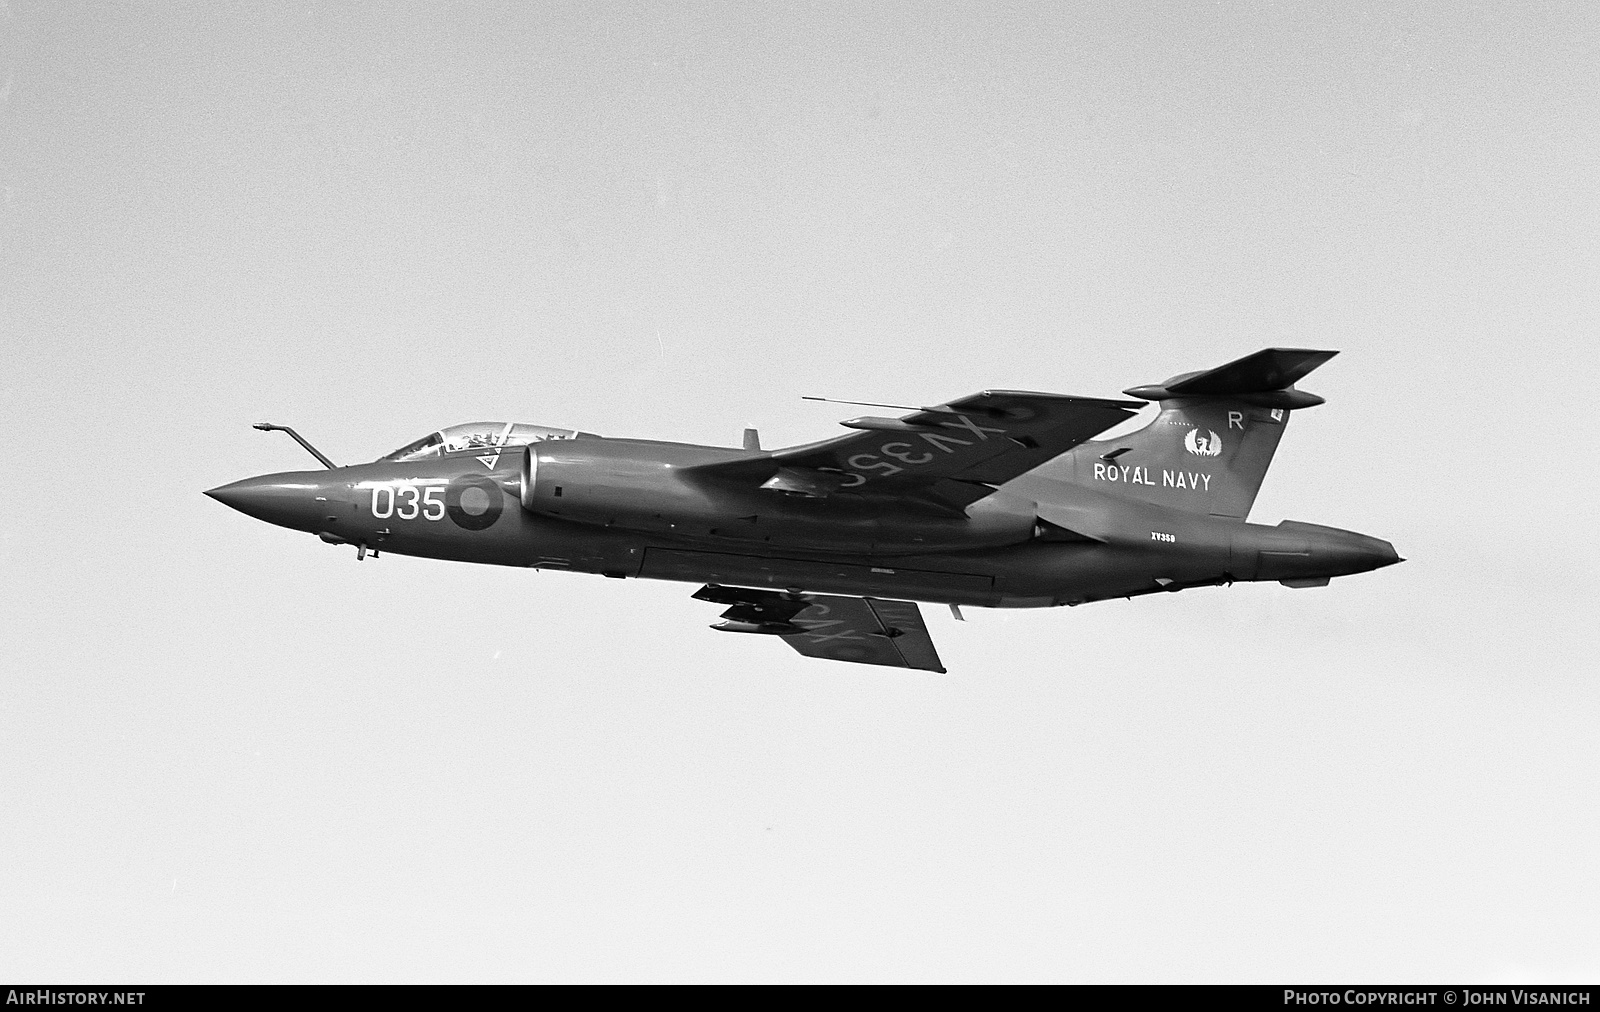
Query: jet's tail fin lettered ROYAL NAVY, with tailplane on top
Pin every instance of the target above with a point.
(1210, 448)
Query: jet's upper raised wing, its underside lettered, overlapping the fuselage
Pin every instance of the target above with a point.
(950, 454)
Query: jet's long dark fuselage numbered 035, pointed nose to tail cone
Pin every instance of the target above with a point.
(636, 510)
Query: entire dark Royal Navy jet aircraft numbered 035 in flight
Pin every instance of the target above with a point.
(1002, 499)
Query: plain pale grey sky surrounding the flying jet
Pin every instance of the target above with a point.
(231, 753)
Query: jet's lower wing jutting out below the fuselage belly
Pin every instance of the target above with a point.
(862, 630)
